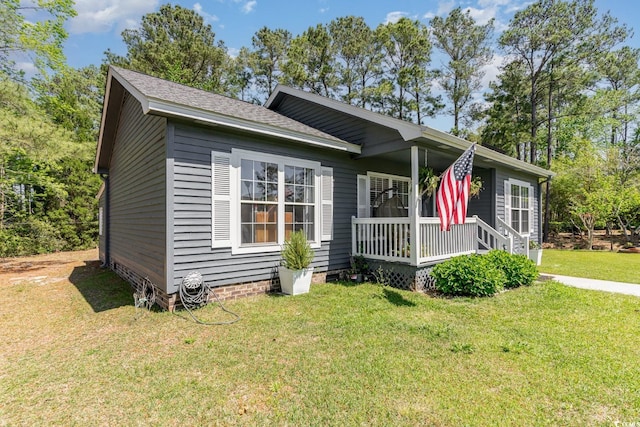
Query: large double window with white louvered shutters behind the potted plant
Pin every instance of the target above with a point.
(263, 198)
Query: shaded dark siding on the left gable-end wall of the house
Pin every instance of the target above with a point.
(137, 194)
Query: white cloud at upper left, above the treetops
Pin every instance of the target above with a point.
(101, 16)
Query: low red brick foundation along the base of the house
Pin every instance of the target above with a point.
(228, 292)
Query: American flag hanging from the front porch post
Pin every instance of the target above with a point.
(453, 194)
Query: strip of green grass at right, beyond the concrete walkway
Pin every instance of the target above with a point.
(620, 267)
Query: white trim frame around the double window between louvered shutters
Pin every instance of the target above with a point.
(237, 155)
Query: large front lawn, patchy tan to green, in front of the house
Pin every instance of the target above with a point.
(341, 355)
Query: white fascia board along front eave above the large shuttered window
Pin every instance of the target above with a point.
(170, 109)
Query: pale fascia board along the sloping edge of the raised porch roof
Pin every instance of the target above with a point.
(408, 131)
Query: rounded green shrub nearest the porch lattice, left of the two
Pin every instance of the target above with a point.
(468, 275)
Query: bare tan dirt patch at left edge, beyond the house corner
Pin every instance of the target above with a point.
(44, 269)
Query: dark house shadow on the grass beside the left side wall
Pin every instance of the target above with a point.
(100, 287)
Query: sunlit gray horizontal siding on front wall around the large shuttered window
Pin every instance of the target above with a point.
(192, 251)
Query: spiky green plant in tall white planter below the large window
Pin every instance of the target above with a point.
(295, 273)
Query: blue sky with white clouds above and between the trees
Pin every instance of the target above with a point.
(100, 22)
